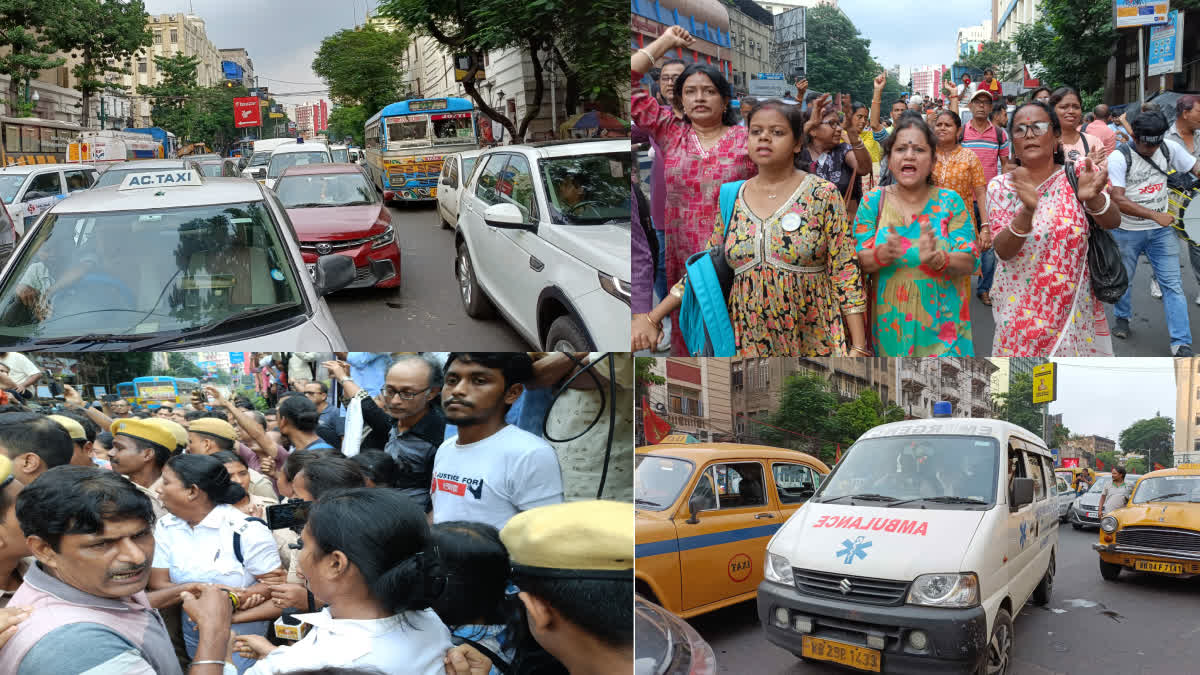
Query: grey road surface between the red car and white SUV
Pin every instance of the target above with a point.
(425, 313)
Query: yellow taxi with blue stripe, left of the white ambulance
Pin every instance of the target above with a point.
(705, 513)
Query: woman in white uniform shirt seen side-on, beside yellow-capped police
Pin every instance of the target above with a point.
(205, 539)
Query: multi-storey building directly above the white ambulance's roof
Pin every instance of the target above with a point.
(964, 383)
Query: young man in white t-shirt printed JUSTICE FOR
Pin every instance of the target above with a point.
(490, 471)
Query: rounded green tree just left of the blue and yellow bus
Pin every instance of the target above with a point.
(363, 68)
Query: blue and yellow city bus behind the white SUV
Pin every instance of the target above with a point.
(407, 141)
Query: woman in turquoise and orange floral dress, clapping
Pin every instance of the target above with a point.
(921, 252)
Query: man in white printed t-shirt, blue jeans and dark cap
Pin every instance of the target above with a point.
(1141, 174)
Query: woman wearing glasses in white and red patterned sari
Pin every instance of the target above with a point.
(1043, 300)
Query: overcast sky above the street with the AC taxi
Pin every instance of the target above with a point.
(283, 37)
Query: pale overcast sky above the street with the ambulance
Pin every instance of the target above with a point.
(1103, 397)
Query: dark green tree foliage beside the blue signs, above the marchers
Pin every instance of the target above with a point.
(1072, 44)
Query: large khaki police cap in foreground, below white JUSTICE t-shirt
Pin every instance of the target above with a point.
(577, 540)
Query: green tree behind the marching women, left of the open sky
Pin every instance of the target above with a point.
(839, 59)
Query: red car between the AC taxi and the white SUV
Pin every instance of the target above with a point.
(335, 210)
